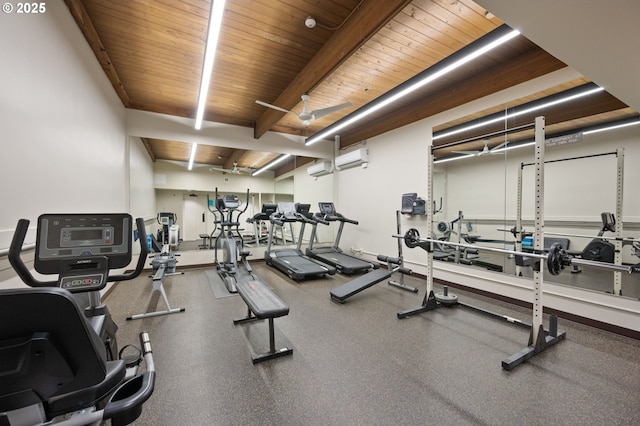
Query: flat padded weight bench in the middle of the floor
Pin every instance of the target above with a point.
(263, 303)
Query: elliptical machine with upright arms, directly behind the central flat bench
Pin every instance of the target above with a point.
(230, 242)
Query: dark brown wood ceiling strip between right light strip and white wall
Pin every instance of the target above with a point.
(530, 65)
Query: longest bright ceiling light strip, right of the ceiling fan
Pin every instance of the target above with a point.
(429, 75)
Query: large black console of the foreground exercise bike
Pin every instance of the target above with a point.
(82, 248)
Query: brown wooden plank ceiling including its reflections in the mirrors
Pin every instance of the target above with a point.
(152, 52)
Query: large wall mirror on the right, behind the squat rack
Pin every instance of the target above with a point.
(589, 197)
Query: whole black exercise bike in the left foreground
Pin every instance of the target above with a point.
(59, 364)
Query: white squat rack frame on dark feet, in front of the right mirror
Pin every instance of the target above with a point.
(539, 339)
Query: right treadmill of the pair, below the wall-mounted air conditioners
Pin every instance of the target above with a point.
(333, 255)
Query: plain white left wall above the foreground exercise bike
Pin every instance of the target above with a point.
(62, 124)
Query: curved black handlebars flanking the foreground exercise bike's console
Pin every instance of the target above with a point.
(23, 272)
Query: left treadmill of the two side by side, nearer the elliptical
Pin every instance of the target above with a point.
(291, 261)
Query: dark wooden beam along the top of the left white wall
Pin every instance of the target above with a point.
(85, 24)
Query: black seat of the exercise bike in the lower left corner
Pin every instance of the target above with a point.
(51, 356)
